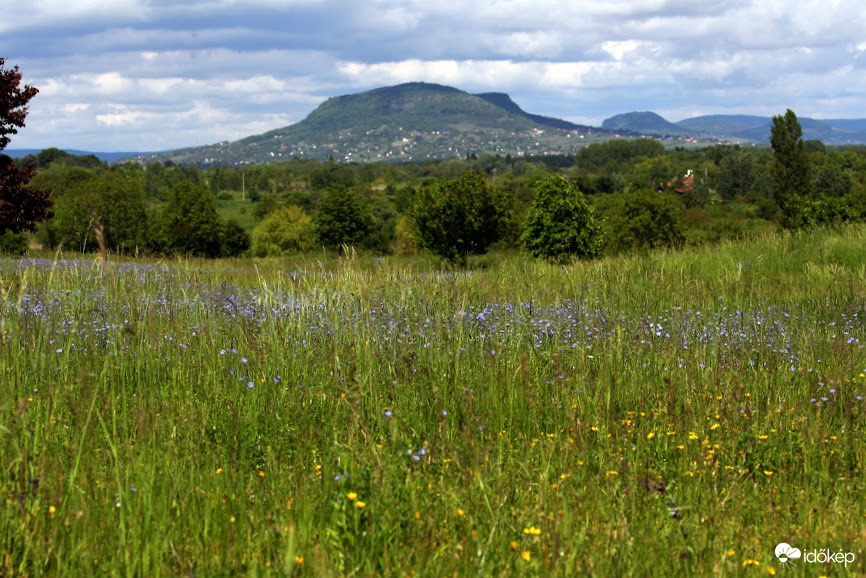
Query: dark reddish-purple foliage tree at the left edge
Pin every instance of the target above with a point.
(21, 207)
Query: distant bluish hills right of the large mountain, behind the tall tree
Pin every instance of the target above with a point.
(747, 128)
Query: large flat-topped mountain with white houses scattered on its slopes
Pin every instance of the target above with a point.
(408, 122)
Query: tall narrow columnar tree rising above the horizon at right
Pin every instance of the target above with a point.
(791, 171)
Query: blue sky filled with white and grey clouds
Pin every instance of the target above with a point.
(151, 75)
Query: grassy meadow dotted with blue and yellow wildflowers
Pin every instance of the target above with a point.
(664, 415)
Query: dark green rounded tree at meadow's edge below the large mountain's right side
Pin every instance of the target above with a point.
(459, 217)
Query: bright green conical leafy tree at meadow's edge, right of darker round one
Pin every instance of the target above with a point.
(560, 224)
